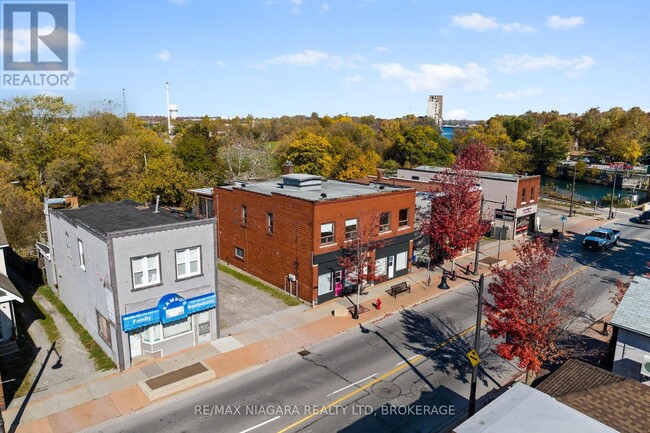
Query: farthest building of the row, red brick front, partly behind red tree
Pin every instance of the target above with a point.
(517, 196)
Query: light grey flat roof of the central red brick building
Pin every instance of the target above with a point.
(313, 191)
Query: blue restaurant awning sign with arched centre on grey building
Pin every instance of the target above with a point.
(171, 307)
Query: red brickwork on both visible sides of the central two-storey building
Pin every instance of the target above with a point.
(296, 231)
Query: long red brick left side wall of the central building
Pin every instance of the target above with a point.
(270, 257)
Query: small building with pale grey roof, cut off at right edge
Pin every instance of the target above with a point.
(631, 324)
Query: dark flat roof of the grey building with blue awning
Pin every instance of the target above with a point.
(105, 218)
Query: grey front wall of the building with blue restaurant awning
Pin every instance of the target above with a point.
(165, 243)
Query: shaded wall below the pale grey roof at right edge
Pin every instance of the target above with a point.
(628, 356)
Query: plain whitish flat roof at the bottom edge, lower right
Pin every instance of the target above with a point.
(524, 409)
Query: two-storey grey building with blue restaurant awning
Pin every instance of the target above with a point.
(142, 281)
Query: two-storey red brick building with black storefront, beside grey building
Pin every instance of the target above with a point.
(289, 232)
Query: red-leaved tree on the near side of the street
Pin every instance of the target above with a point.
(531, 309)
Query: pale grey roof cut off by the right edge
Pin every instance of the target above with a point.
(633, 313)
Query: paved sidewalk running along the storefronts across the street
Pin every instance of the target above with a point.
(112, 396)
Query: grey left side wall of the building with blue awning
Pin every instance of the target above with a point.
(84, 292)
